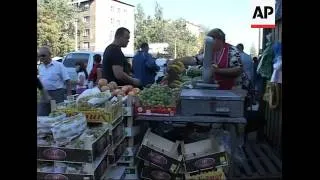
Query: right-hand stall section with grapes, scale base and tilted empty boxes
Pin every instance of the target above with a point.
(175, 159)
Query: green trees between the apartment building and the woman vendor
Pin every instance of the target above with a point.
(158, 30)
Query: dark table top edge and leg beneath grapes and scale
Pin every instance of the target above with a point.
(231, 122)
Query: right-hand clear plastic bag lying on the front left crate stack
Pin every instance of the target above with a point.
(68, 129)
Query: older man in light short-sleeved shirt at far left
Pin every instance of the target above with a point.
(53, 76)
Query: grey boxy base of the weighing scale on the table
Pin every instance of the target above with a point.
(211, 102)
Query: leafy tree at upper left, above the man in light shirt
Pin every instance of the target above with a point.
(55, 22)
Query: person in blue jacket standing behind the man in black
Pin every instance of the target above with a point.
(144, 67)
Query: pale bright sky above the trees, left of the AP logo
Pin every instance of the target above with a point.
(231, 16)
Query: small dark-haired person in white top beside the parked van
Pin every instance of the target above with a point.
(82, 81)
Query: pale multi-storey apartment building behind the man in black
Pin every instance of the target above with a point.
(101, 19)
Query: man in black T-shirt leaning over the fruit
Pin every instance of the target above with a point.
(114, 66)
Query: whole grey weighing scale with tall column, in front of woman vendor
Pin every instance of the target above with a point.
(205, 99)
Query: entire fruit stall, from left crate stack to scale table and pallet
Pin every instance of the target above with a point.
(108, 133)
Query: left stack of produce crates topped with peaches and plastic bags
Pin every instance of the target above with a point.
(89, 136)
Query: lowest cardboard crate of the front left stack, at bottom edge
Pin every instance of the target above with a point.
(98, 169)
